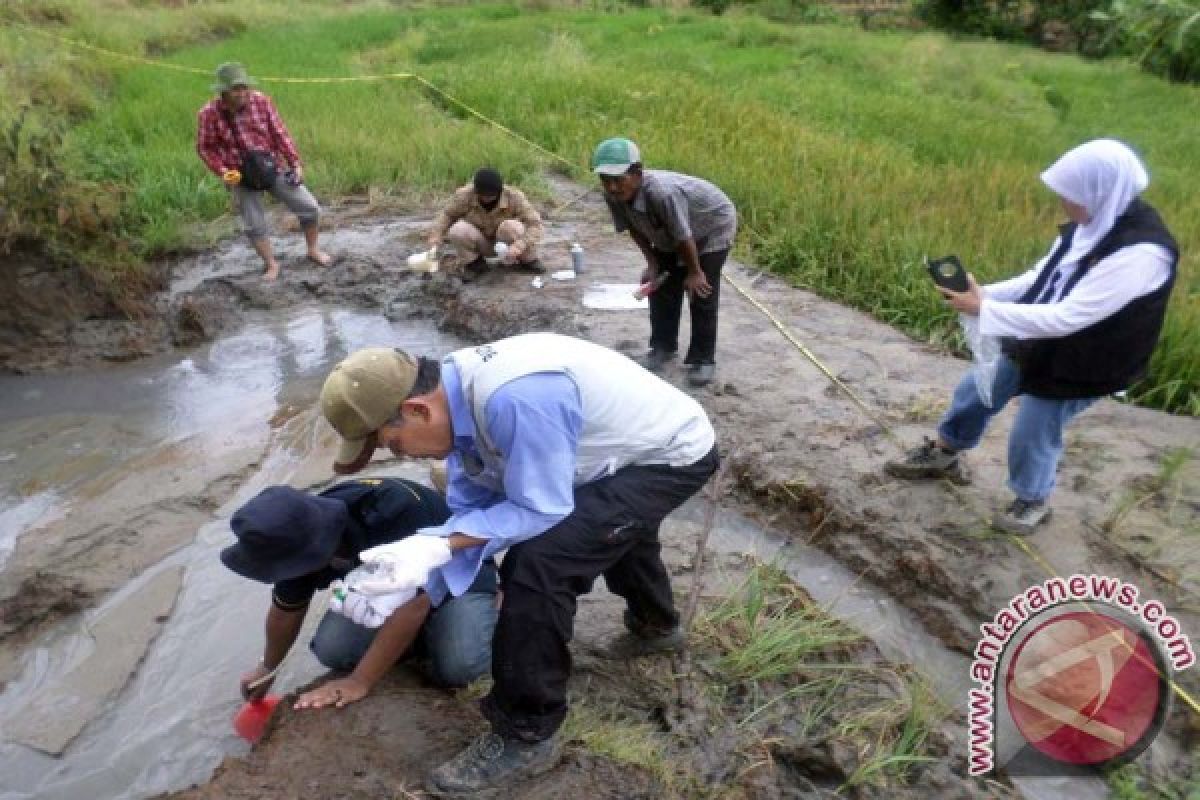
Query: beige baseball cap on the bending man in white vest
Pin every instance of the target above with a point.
(363, 393)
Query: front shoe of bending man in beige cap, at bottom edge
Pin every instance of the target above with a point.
(491, 763)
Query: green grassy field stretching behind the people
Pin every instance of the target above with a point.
(850, 154)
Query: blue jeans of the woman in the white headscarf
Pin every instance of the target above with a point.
(1035, 446)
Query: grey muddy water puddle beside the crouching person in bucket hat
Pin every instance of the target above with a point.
(65, 441)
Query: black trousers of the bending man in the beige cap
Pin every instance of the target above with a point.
(613, 532)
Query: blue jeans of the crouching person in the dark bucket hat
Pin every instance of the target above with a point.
(455, 643)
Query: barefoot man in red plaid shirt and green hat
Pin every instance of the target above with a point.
(242, 119)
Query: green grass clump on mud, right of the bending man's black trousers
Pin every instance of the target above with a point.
(794, 676)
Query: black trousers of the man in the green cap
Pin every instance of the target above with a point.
(667, 305)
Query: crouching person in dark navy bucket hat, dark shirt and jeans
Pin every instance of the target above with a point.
(302, 543)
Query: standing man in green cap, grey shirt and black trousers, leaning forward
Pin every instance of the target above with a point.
(685, 226)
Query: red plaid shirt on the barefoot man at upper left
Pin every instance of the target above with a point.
(260, 128)
